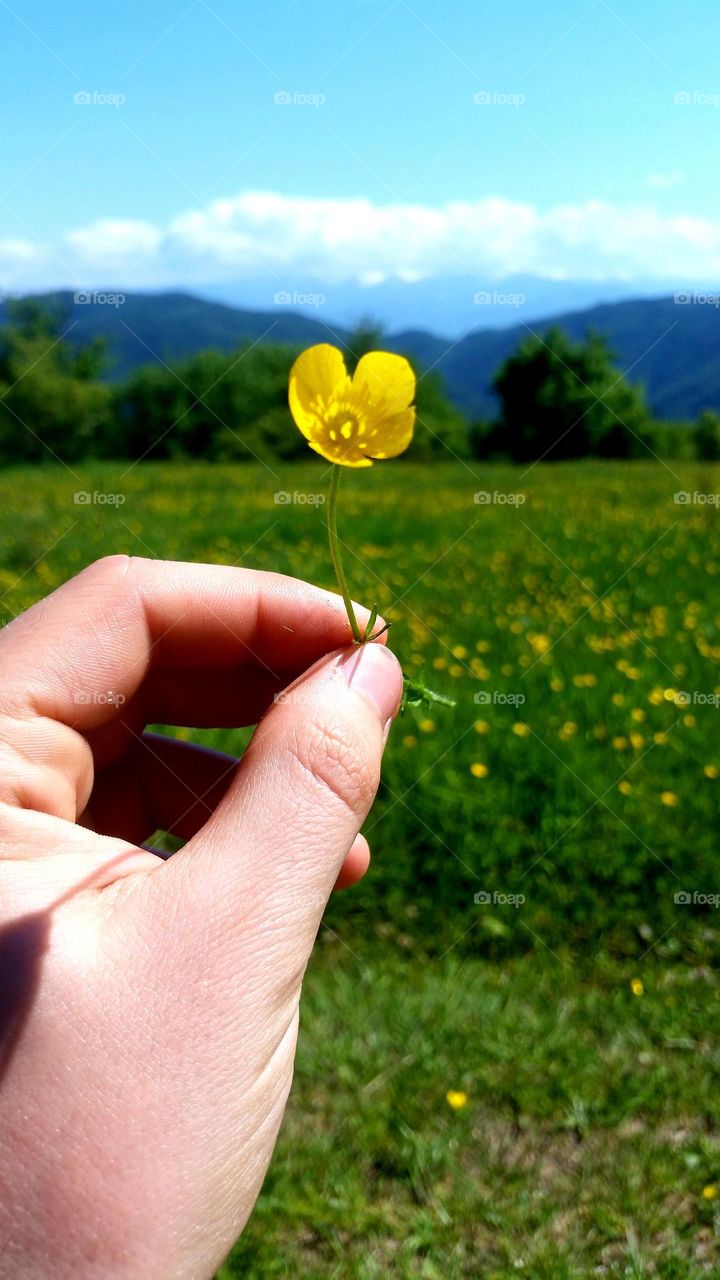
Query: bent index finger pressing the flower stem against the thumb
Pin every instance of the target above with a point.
(89, 647)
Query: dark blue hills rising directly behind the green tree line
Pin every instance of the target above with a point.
(673, 349)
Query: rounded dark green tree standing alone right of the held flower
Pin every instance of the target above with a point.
(566, 400)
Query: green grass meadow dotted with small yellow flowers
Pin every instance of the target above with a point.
(539, 931)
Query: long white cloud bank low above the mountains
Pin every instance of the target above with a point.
(266, 235)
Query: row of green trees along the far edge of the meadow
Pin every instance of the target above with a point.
(558, 400)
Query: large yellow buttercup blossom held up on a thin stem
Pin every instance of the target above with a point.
(353, 420)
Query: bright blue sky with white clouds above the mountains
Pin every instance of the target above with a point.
(577, 161)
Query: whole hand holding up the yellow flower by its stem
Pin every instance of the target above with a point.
(149, 1007)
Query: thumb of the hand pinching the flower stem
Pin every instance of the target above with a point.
(268, 858)
